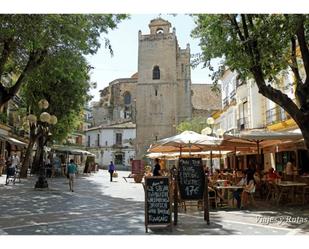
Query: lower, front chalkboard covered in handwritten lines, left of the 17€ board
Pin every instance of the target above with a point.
(157, 201)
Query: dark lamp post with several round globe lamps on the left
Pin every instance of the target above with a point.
(42, 132)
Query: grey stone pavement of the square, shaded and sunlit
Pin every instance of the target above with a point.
(101, 207)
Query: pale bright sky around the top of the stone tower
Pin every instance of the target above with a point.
(124, 41)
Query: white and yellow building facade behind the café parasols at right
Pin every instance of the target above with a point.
(244, 108)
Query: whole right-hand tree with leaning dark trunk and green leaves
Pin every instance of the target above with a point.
(260, 47)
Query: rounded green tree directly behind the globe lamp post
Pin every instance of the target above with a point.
(63, 80)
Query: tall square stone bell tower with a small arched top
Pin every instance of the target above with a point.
(163, 87)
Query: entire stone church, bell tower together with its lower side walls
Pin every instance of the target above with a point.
(160, 95)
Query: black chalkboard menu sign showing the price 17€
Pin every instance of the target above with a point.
(191, 178)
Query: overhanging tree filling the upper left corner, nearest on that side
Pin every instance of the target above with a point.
(26, 40)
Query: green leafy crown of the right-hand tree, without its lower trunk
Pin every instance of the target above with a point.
(270, 34)
